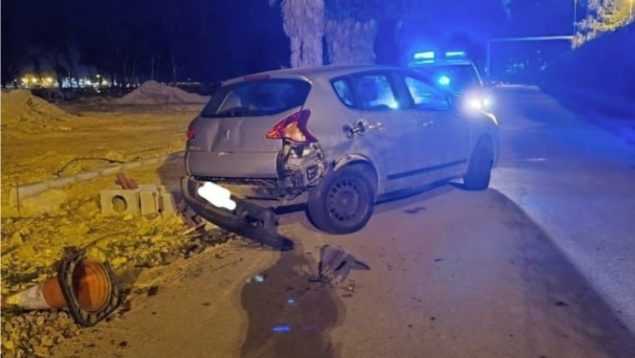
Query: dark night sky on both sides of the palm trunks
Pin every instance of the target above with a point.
(207, 40)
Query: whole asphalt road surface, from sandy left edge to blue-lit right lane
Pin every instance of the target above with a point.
(513, 271)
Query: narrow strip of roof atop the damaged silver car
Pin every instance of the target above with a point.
(310, 73)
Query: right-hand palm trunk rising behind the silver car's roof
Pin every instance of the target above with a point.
(351, 42)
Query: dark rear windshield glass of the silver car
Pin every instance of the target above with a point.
(257, 98)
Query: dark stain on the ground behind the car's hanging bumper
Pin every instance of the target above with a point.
(288, 315)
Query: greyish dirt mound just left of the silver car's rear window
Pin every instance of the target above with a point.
(153, 92)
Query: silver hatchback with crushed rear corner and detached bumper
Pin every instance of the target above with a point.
(334, 138)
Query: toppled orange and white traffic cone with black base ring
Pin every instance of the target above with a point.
(86, 288)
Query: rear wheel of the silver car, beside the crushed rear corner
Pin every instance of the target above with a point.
(343, 202)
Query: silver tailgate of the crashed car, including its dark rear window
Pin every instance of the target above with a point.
(228, 137)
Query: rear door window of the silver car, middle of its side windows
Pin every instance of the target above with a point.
(374, 92)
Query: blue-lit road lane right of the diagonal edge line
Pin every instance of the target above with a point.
(576, 180)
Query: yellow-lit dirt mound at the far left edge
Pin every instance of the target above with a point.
(23, 111)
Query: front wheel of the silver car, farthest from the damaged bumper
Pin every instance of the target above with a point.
(480, 167)
